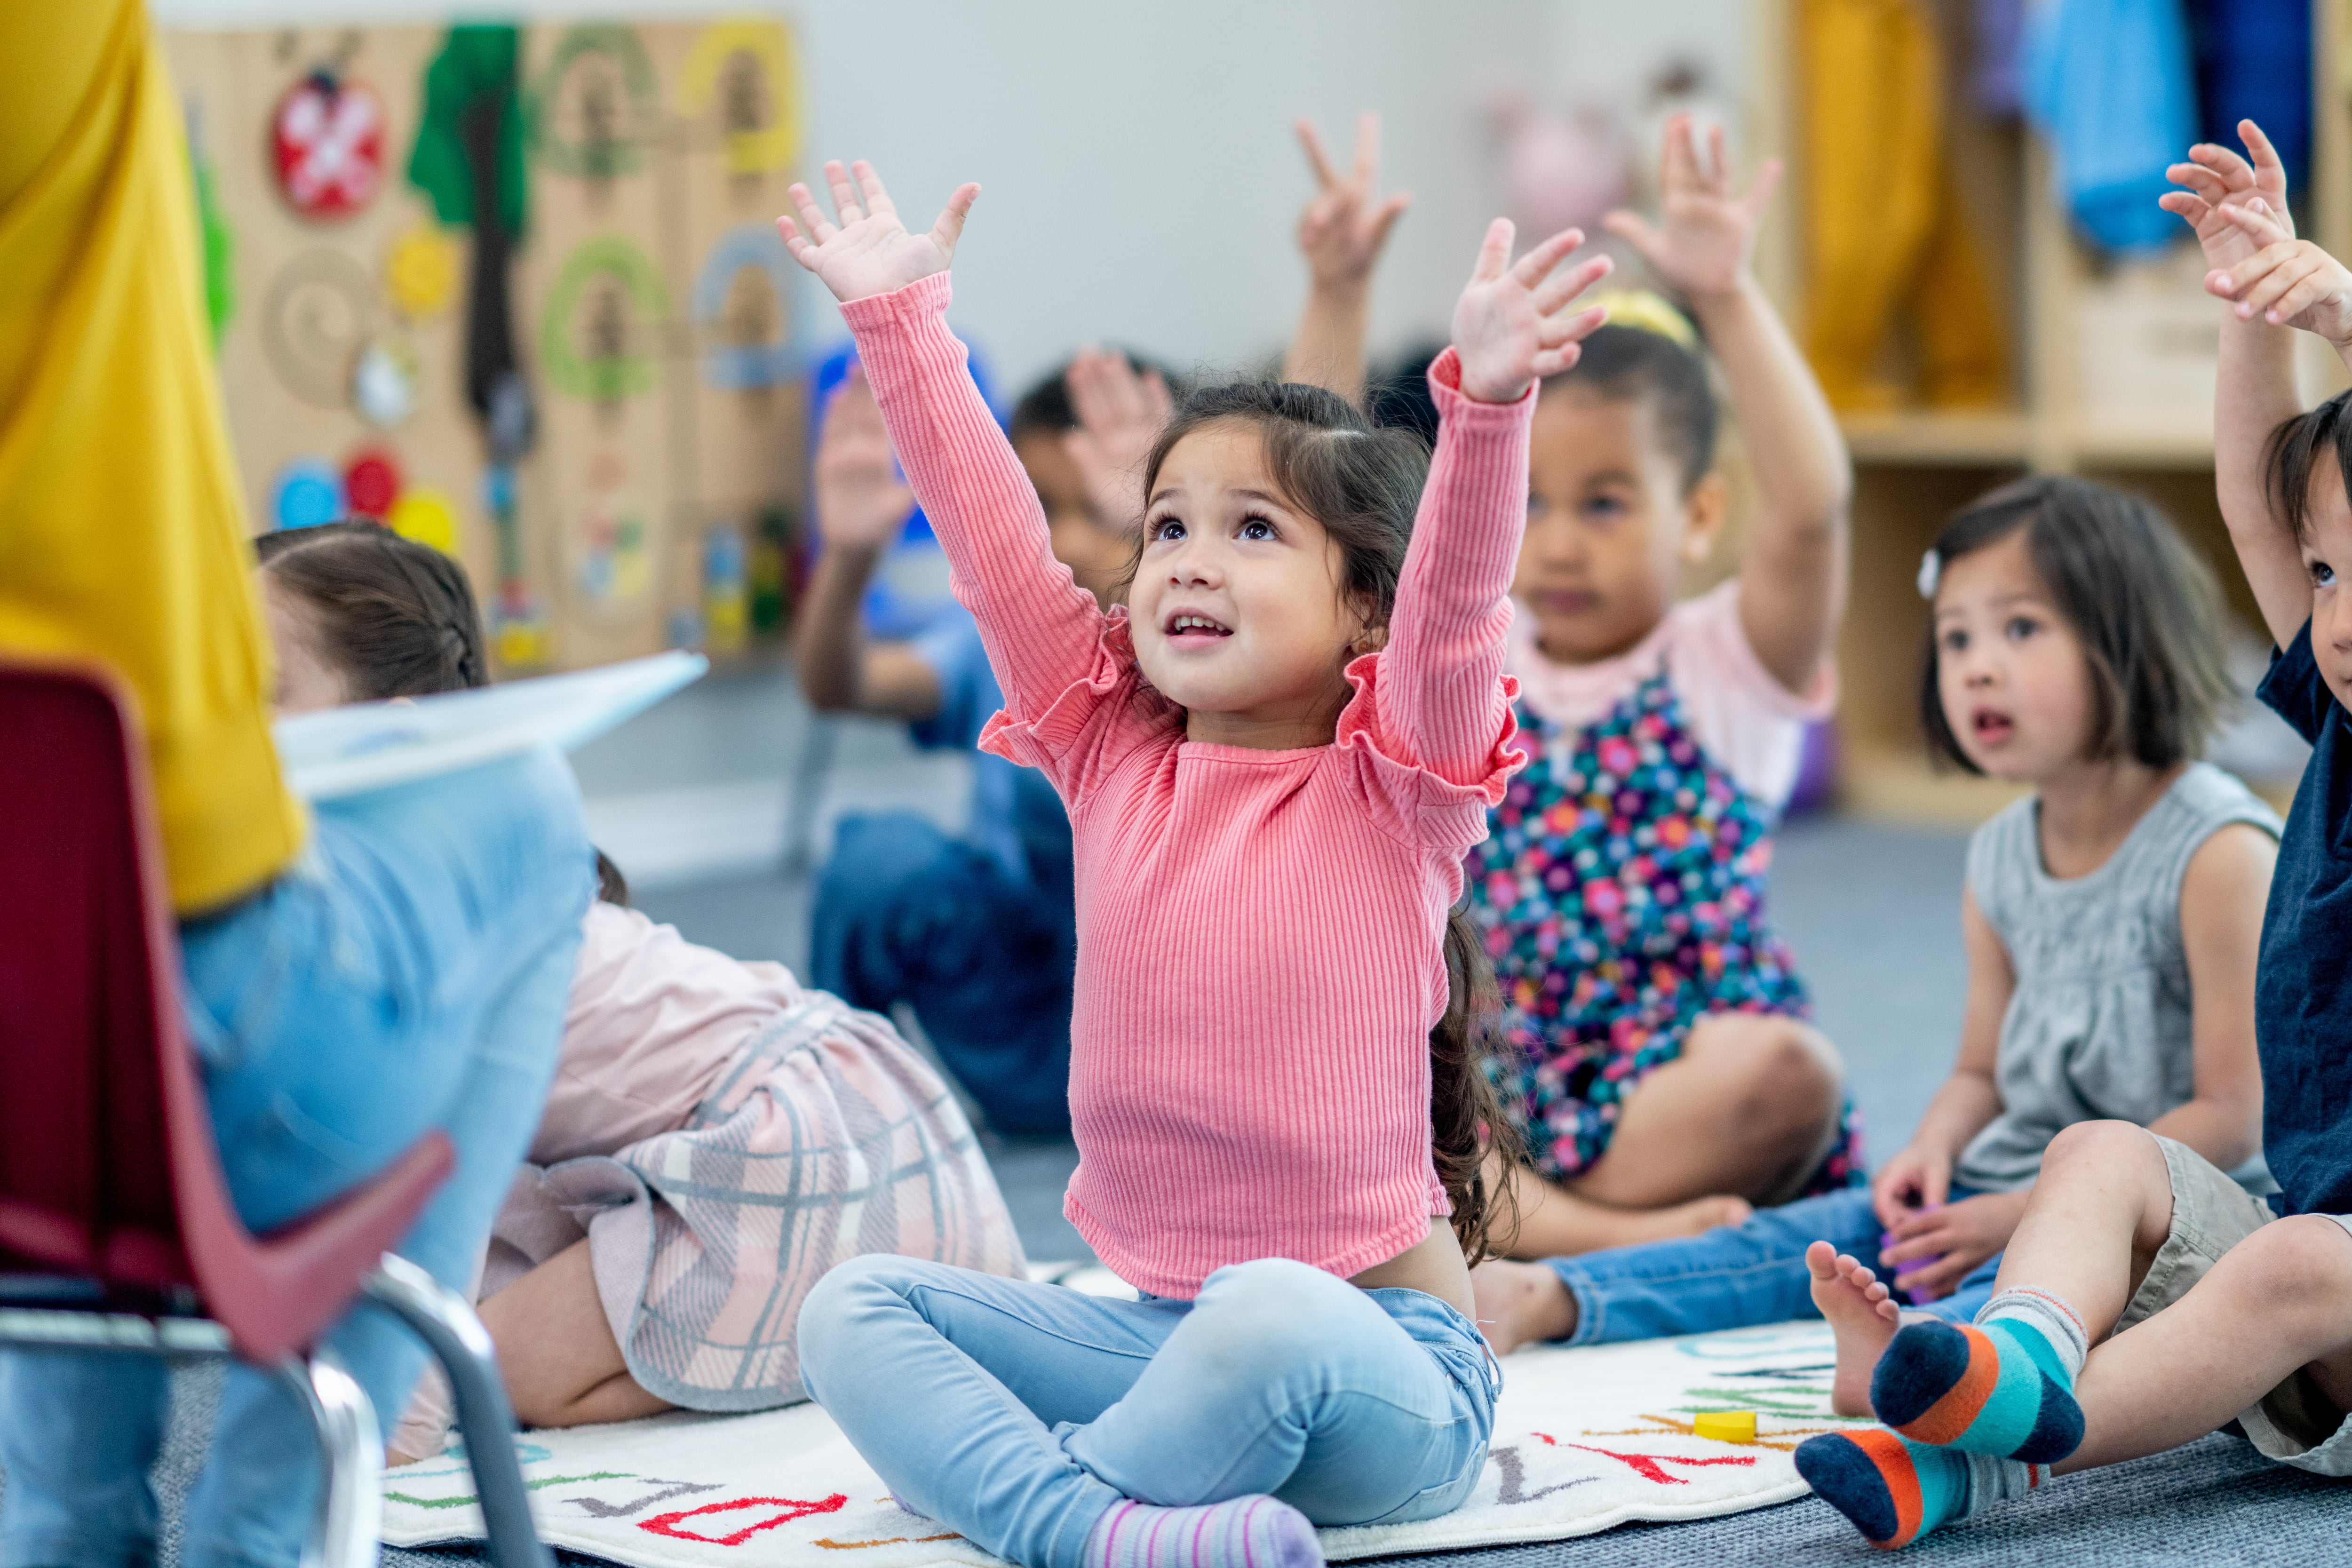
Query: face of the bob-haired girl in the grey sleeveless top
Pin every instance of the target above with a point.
(2010, 669)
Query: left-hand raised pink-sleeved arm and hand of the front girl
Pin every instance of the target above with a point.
(1038, 626)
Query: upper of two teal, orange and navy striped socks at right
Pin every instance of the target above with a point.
(2003, 1386)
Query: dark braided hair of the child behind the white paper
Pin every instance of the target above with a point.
(396, 619)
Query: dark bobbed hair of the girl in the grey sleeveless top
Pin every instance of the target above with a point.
(2141, 603)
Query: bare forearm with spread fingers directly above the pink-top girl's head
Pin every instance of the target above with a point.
(1342, 234)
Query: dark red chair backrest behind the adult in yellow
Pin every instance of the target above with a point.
(88, 989)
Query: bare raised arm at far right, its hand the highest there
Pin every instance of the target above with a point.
(2257, 380)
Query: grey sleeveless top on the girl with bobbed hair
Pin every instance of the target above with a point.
(2099, 1026)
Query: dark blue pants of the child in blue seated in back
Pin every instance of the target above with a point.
(984, 958)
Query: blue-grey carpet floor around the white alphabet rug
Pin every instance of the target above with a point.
(1873, 916)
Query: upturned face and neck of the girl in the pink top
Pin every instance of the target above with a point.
(1238, 608)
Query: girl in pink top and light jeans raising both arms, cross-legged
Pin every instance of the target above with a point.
(1274, 760)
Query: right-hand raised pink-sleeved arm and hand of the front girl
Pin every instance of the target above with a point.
(1441, 690)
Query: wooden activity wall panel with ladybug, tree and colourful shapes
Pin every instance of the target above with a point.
(516, 293)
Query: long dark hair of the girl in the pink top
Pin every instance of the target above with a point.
(1363, 485)
